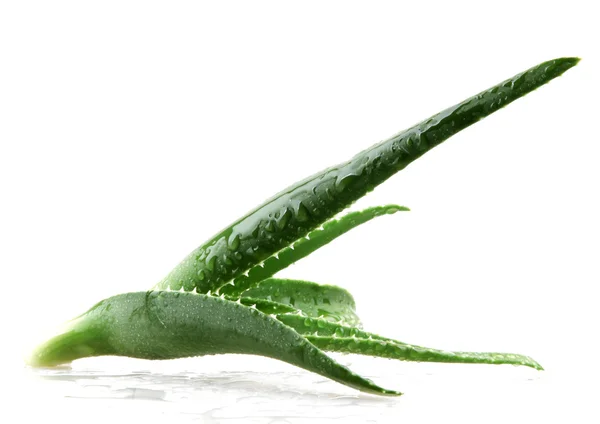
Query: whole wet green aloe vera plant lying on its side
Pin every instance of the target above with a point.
(224, 296)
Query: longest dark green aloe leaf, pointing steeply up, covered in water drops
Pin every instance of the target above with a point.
(307, 204)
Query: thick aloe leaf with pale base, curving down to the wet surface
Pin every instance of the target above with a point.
(167, 325)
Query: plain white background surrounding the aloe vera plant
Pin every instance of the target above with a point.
(132, 131)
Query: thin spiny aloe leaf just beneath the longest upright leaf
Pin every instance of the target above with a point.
(305, 246)
